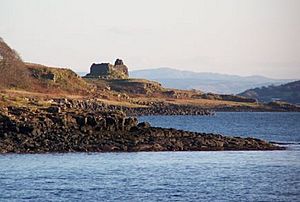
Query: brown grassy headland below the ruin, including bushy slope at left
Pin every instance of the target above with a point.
(33, 84)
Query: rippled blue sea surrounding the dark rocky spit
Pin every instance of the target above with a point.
(167, 176)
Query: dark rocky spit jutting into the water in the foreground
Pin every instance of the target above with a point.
(54, 129)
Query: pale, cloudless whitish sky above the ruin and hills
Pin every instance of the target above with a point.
(241, 37)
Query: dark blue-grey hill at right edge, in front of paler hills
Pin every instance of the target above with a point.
(289, 92)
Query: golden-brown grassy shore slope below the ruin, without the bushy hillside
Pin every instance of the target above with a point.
(132, 93)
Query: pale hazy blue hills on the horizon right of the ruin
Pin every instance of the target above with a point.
(207, 82)
